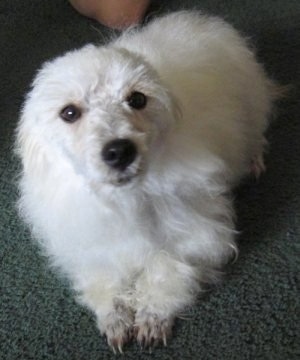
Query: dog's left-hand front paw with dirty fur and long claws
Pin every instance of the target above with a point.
(119, 328)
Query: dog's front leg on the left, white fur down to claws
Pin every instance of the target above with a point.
(115, 317)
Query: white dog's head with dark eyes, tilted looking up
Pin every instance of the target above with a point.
(102, 111)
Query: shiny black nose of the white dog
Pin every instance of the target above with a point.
(119, 153)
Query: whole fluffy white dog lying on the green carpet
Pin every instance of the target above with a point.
(129, 154)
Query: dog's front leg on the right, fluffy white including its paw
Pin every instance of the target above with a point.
(164, 289)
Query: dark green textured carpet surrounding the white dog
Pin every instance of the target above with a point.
(254, 313)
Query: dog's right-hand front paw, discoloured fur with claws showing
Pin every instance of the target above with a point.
(150, 329)
